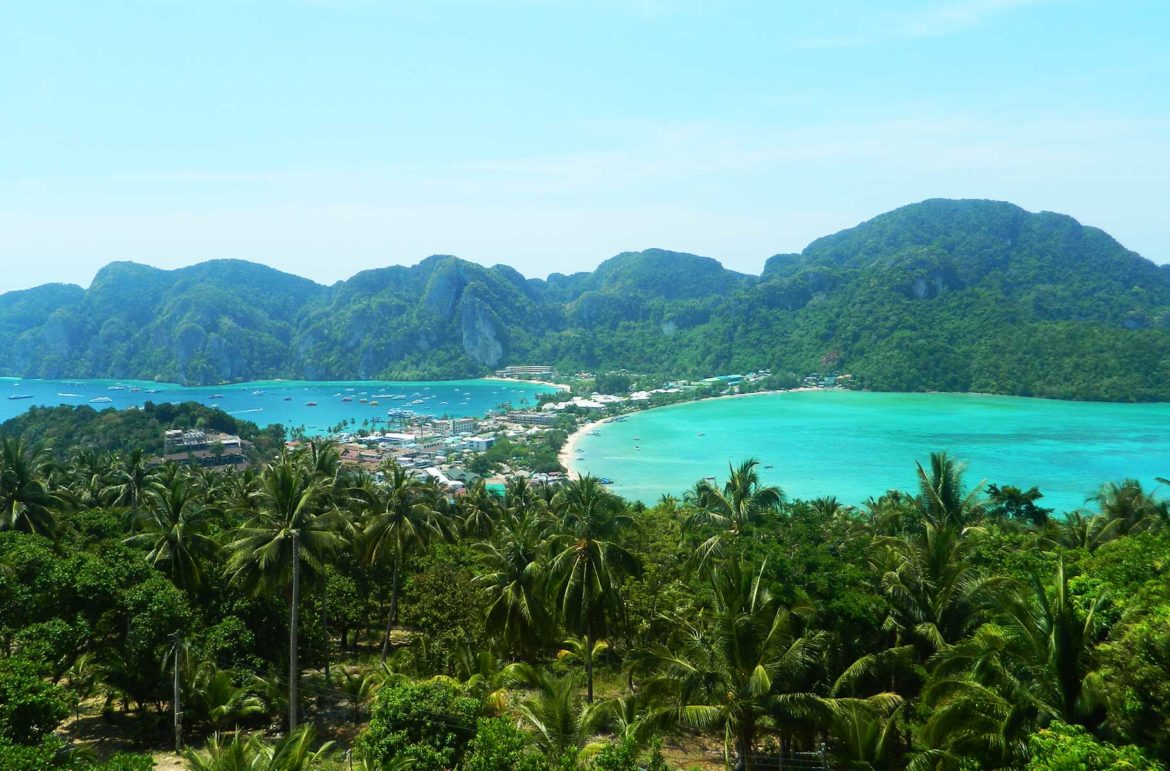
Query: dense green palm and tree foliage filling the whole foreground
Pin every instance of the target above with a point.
(313, 611)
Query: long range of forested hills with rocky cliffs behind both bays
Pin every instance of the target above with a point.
(940, 295)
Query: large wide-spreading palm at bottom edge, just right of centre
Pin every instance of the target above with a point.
(749, 662)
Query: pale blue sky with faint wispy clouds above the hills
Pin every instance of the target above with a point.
(325, 137)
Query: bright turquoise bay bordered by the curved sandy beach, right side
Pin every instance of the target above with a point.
(856, 445)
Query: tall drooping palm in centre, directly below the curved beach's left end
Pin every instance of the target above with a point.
(588, 565)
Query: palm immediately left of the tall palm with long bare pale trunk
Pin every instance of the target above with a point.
(173, 522)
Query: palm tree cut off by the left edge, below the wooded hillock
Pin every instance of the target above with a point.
(27, 502)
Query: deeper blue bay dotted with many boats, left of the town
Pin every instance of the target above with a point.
(281, 402)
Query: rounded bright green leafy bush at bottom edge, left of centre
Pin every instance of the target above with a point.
(429, 724)
